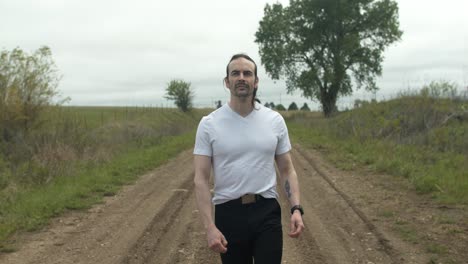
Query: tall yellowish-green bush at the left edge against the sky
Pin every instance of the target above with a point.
(28, 83)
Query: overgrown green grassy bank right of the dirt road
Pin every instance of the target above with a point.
(421, 136)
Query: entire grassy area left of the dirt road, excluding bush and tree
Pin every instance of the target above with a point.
(80, 154)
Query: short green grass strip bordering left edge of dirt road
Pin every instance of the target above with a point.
(31, 209)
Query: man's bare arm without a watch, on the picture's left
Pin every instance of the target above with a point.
(216, 240)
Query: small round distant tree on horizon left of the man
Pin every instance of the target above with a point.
(181, 93)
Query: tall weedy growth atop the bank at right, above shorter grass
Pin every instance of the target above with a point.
(416, 120)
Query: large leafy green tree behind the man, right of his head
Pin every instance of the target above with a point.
(322, 46)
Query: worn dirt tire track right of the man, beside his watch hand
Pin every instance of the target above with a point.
(342, 234)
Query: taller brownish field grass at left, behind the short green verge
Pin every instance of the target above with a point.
(70, 137)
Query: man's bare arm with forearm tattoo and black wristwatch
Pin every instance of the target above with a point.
(290, 185)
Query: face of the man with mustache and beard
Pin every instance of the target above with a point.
(241, 79)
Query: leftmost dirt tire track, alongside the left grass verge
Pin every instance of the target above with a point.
(107, 232)
